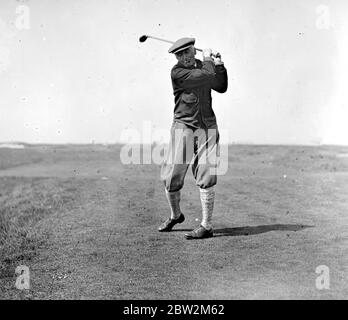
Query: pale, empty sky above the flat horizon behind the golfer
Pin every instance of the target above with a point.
(79, 73)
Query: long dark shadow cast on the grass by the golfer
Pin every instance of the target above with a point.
(248, 231)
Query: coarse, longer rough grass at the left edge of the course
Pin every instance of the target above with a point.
(23, 203)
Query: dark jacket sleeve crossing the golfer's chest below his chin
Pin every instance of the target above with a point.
(191, 78)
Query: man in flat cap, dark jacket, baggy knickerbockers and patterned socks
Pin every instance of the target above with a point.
(194, 132)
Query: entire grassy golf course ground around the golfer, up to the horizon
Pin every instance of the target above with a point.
(86, 226)
